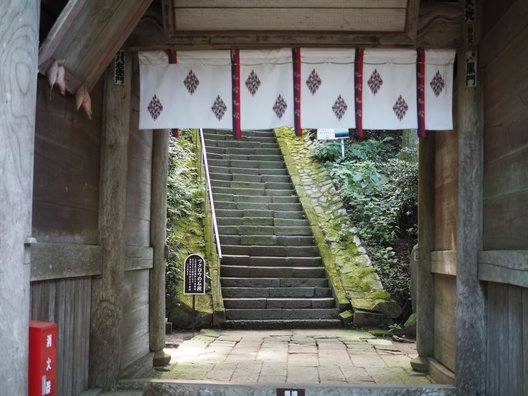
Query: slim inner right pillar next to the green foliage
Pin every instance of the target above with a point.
(426, 228)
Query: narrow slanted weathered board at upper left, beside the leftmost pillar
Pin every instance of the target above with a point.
(59, 30)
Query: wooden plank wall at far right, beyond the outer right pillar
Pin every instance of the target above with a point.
(504, 58)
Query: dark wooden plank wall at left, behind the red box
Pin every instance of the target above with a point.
(65, 212)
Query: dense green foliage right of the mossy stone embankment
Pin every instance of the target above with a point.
(380, 192)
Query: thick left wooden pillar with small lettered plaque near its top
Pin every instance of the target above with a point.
(107, 311)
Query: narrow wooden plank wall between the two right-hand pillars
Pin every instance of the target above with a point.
(444, 255)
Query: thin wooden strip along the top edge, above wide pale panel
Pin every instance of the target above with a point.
(290, 3)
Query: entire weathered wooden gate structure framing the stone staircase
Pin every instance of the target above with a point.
(82, 202)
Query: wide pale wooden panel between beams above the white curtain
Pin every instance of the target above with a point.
(301, 19)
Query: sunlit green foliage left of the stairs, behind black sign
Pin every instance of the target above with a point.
(185, 198)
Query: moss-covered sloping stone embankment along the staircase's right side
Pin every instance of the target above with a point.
(352, 278)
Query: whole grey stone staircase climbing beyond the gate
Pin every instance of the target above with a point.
(271, 272)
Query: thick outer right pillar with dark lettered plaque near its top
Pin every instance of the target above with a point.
(470, 373)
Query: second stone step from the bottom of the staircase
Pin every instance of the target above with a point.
(278, 313)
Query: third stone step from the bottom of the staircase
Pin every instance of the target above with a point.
(272, 303)
